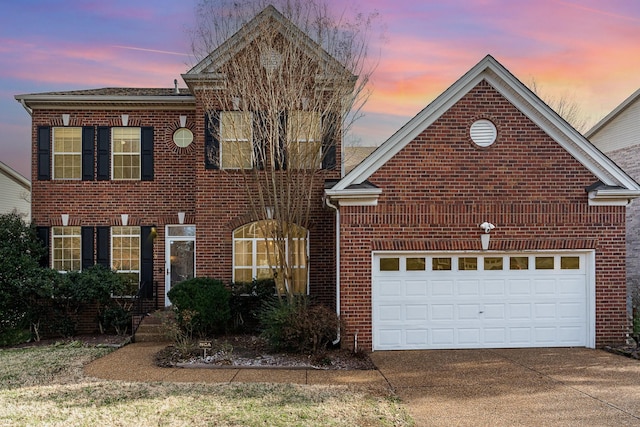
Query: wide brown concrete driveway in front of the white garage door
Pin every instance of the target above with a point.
(529, 387)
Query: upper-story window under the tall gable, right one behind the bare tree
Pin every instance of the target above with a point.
(304, 136)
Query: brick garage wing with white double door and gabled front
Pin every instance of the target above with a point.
(486, 160)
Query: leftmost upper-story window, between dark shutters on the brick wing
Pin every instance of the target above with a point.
(67, 153)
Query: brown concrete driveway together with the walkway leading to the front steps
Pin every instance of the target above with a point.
(513, 387)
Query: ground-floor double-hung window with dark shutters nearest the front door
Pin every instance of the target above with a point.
(125, 255)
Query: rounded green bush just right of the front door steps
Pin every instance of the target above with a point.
(205, 300)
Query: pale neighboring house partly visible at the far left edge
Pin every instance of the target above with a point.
(15, 193)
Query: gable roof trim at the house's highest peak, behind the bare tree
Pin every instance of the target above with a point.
(249, 32)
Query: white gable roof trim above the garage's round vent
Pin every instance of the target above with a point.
(490, 70)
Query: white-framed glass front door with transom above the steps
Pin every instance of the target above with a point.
(180, 256)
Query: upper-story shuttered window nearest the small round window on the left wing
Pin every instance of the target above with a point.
(126, 153)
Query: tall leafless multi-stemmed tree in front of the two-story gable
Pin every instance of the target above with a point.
(284, 84)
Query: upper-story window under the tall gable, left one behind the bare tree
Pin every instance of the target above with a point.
(236, 146)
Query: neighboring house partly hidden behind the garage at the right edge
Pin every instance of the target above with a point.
(618, 136)
